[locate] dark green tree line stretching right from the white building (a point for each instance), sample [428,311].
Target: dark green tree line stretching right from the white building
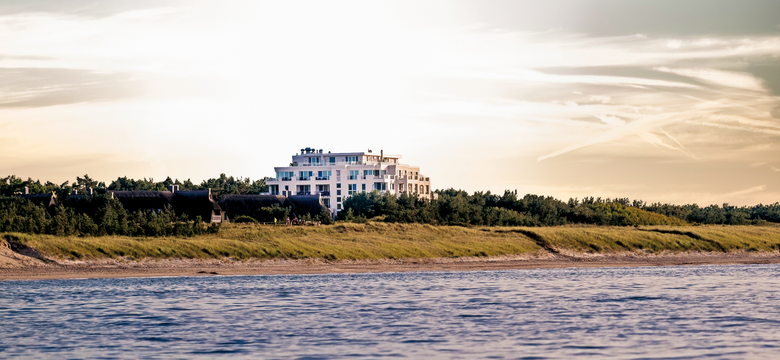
[457,207]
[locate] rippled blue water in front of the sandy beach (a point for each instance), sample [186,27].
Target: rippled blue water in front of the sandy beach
[659,312]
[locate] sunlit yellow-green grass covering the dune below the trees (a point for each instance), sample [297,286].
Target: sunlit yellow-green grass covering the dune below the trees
[375,240]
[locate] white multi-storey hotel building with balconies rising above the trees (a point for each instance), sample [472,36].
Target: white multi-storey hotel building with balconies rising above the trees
[336,176]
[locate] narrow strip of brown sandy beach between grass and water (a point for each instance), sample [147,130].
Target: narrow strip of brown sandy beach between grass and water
[535,260]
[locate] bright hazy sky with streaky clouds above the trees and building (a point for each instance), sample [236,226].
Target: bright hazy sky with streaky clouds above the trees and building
[665,101]
